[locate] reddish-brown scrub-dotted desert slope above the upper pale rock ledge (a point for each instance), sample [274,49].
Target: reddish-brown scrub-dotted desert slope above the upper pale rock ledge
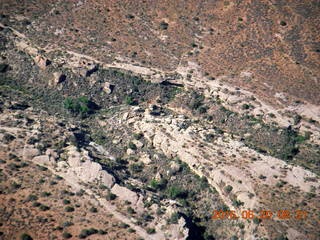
[268,47]
